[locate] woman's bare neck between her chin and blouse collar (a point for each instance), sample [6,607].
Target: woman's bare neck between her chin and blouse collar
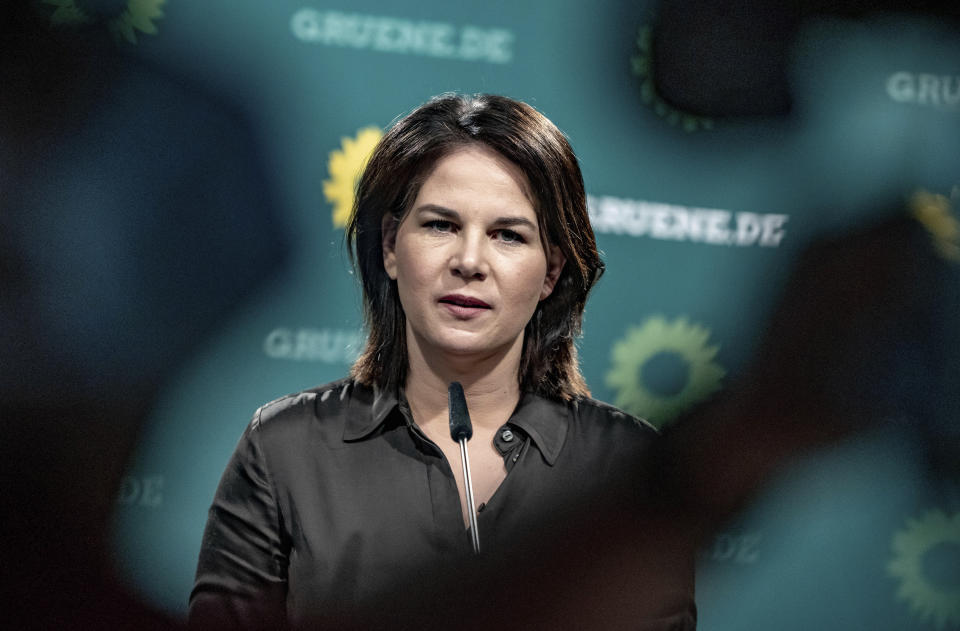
[490,383]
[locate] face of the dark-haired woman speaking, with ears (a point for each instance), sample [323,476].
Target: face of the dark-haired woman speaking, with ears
[468,259]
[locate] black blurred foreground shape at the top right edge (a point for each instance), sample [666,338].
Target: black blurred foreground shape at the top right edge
[730,57]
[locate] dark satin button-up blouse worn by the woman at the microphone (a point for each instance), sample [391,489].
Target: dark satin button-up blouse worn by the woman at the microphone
[334,497]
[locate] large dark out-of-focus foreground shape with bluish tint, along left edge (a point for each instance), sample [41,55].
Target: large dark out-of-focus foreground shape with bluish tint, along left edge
[135,216]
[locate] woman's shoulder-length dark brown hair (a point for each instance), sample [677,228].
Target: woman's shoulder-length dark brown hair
[401,162]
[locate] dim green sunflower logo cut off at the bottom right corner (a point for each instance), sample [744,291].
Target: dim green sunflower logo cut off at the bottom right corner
[926,555]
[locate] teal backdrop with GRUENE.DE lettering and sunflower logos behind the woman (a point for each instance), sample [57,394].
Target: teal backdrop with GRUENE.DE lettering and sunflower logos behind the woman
[699,221]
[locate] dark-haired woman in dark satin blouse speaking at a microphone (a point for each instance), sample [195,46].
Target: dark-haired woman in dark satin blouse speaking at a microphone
[474,247]
